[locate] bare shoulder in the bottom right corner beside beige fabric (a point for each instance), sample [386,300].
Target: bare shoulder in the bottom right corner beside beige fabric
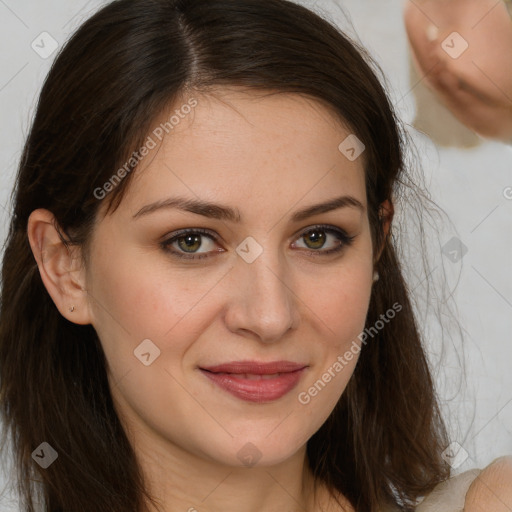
[491,491]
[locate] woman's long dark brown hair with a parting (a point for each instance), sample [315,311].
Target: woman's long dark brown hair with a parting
[121,69]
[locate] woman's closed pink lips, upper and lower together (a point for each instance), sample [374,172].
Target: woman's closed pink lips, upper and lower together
[231,377]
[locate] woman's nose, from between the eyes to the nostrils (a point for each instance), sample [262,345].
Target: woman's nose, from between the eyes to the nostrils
[263,301]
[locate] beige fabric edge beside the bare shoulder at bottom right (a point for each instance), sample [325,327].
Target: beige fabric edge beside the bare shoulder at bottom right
[449,496]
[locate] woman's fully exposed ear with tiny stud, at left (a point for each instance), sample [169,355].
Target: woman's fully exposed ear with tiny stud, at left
[59,266]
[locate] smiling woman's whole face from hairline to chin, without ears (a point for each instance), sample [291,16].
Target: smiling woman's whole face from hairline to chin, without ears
[256,285]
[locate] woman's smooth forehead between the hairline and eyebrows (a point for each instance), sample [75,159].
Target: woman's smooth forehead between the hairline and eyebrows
[234,143]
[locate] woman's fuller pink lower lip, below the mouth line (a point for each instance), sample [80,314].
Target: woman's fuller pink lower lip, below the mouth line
[252,390]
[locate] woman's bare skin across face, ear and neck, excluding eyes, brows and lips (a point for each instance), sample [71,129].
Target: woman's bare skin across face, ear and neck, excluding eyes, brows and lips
[267,156]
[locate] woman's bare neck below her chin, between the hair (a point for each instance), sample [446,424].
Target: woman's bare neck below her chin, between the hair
[186,482]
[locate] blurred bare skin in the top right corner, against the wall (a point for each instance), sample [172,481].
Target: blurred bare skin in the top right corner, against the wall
[476,85]
